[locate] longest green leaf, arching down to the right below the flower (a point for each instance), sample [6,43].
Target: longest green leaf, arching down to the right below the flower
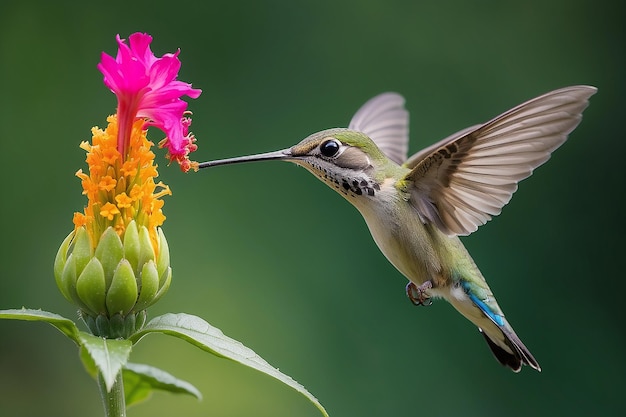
[211,339]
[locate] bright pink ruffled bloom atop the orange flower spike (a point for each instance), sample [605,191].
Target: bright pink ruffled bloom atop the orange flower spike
[146,87]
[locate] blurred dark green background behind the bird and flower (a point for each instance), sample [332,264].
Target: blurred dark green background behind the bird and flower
[275,259]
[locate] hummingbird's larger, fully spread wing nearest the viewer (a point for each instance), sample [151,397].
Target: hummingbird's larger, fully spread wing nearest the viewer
[464,180]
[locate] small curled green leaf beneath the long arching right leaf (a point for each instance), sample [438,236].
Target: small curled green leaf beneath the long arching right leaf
[141,380]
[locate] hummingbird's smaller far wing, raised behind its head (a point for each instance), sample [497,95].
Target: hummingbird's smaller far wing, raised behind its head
[385,120]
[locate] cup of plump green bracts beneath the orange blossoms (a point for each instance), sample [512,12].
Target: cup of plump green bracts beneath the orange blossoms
[114,283]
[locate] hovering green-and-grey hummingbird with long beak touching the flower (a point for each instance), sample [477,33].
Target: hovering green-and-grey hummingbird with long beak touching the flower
[416,208]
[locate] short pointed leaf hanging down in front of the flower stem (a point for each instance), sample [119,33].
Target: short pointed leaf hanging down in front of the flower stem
[109,355]
